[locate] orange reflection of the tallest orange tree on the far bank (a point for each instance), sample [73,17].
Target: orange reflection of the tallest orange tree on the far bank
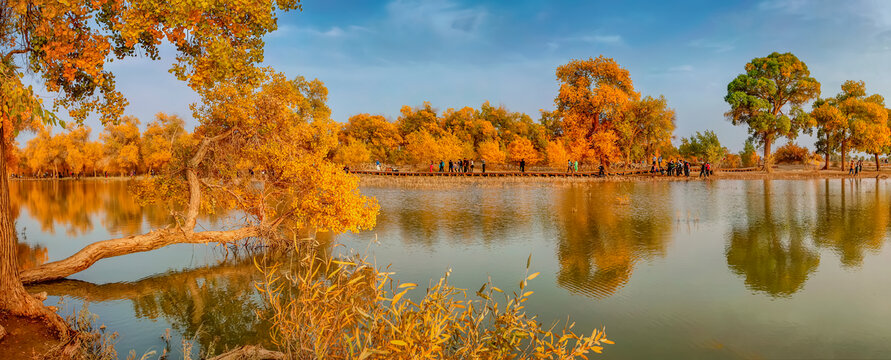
[602,236]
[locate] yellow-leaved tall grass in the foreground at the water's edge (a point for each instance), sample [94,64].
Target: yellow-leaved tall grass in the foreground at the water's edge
[344,308]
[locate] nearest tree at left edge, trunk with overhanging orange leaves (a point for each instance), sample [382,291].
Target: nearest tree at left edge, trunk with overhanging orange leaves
[66,45]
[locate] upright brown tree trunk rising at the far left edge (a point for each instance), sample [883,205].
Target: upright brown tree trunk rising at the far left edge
[14,299]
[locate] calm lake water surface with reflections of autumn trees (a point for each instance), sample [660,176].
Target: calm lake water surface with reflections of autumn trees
[722,269]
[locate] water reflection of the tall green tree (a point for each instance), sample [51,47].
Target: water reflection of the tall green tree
[769,248]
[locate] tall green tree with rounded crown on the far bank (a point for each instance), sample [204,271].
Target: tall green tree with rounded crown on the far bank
[768,99]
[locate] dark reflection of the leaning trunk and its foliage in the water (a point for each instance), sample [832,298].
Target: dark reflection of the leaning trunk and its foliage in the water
[216,306]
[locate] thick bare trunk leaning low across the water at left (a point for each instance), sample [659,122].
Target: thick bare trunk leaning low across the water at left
[92,253]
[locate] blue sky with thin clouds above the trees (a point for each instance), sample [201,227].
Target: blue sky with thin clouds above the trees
[375,56]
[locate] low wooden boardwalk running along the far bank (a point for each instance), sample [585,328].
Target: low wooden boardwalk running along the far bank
[528,173]
